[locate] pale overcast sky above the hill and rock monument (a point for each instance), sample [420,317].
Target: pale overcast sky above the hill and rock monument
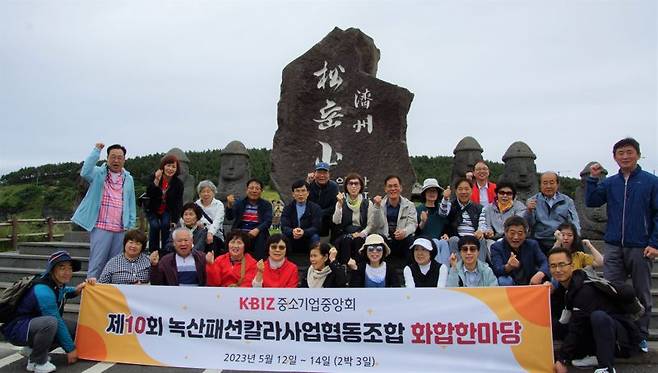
[567,77]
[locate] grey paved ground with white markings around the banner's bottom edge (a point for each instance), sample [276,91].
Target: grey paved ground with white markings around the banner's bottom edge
[11,361]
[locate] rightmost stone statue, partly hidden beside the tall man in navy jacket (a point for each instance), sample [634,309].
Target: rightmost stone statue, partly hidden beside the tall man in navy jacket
[593,220]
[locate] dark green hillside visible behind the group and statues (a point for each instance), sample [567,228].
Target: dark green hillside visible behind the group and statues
[52,189]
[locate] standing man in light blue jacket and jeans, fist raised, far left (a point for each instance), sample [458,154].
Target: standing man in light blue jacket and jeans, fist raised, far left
[108,209]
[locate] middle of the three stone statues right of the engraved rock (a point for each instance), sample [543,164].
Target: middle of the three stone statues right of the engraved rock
[521,170]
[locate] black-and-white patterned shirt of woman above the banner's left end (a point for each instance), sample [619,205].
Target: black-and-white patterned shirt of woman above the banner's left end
[121,270]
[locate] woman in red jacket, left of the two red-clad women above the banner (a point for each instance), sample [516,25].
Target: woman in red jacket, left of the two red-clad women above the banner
[233,269]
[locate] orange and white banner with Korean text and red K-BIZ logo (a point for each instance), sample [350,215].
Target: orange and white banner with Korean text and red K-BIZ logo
[319,330]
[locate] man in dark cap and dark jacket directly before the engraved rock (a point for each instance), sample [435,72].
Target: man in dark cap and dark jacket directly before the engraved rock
[323,192]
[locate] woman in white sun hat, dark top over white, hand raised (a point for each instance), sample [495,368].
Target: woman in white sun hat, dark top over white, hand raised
[373,271]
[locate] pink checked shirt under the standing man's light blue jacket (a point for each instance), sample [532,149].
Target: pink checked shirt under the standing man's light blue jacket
[110,214]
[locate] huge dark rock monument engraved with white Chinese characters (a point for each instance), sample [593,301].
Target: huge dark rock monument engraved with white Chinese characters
[333,109]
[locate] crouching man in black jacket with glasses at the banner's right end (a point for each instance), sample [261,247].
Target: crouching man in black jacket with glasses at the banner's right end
[597,322]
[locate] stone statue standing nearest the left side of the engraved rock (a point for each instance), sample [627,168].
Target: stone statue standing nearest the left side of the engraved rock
[234,171]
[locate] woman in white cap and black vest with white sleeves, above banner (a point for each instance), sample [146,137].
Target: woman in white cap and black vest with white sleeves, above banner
[423,271]
